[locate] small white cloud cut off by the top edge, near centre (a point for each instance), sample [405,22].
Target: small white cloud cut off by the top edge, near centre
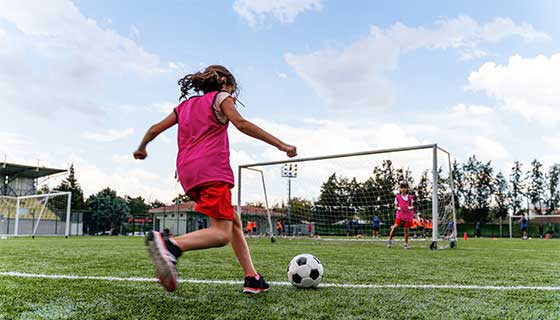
[255,11]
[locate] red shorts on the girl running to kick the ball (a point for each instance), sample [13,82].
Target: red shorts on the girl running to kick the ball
[213,199]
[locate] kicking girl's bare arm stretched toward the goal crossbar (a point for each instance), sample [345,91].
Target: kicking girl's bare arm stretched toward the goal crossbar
[250,129]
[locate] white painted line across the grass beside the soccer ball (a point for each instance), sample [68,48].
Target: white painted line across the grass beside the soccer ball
[284,283]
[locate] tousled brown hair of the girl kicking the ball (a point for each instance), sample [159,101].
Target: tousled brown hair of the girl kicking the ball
[213,78]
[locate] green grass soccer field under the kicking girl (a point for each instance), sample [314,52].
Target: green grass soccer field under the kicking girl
[480,262]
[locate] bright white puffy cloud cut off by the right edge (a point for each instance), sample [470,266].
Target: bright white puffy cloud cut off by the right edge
[527,86]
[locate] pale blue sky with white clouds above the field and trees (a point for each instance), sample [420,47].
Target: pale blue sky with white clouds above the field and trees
[81,81]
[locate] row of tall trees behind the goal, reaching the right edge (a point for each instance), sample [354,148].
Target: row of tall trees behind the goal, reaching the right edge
[480,192]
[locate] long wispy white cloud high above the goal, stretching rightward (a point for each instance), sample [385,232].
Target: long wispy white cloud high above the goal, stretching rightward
[363,68]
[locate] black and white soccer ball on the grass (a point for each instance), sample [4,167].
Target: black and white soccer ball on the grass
[305,271]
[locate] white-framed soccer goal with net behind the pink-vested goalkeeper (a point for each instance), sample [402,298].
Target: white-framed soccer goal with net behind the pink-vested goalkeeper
[349,196]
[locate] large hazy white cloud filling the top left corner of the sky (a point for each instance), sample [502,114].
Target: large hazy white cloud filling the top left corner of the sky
[63,54]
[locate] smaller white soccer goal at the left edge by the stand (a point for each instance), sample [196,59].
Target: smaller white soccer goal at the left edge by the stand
[34,215]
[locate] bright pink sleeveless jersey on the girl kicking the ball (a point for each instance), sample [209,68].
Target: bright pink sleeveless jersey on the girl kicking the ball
[203,144]
